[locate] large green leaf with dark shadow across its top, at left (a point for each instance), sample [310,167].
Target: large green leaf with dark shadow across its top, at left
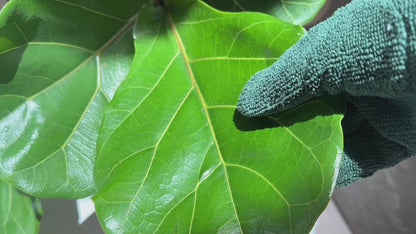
[60,63]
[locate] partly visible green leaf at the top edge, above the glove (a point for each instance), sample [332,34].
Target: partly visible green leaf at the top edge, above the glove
[298,12]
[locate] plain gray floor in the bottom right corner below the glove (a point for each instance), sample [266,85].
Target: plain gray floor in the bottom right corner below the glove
[383,203]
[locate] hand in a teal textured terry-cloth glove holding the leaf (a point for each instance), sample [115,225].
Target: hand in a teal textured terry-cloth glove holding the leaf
[368,50]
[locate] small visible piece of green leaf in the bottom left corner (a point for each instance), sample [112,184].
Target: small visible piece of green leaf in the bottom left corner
[17,212]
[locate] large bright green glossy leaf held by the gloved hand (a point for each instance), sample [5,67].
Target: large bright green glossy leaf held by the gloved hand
[173,154]
